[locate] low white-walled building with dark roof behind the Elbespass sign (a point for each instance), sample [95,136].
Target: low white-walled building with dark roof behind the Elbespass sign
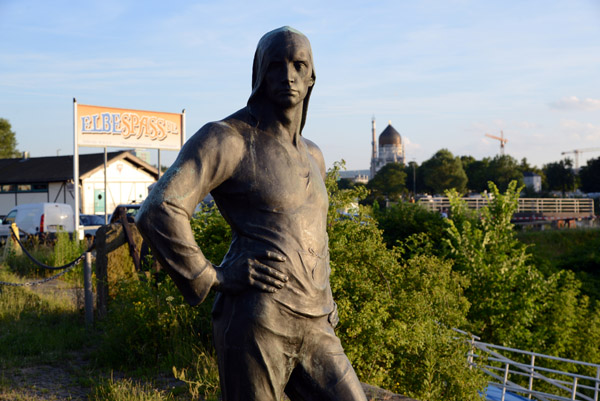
[50,179]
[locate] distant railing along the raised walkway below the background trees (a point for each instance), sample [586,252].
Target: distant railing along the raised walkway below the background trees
[526,205]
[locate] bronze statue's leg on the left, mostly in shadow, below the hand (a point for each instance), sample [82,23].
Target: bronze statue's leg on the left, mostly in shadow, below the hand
[255,350]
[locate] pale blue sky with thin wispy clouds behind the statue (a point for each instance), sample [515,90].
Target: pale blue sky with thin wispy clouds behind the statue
[444,72]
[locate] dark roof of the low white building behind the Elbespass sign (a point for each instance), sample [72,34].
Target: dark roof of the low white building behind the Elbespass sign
[60,168]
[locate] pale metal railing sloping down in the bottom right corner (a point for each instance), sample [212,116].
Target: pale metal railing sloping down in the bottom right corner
[539,381]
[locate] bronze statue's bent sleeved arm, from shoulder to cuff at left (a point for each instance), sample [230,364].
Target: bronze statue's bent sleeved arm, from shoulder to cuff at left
[206,160]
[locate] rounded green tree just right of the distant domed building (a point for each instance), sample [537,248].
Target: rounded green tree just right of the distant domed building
[444,171]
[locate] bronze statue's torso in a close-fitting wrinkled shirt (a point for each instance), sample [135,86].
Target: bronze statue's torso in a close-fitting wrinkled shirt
[276,200]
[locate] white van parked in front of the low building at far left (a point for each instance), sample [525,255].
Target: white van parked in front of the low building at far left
[38,218]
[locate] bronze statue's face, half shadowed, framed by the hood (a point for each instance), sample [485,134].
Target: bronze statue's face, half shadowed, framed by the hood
[289,74]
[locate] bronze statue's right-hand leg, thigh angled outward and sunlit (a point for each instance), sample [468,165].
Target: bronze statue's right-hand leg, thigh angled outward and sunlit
[324,372]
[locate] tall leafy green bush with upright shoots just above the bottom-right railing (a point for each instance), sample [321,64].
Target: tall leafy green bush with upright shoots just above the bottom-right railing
[512,303]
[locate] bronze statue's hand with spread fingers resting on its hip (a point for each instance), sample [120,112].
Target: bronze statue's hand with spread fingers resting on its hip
[257,272]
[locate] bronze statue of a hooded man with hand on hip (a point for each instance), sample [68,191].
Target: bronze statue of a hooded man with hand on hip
[274,314]
